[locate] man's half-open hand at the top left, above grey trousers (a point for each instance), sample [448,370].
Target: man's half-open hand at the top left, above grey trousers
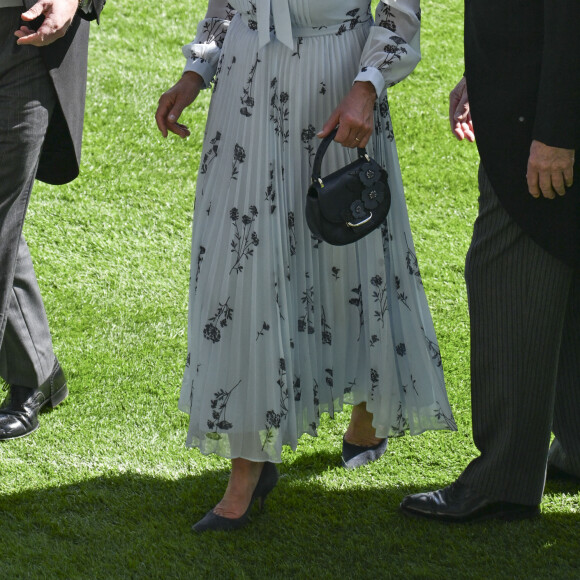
[58,15]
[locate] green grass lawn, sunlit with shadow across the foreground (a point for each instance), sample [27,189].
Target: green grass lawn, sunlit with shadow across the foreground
[106,488]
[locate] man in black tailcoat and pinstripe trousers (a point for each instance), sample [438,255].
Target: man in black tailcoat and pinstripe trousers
[523,267]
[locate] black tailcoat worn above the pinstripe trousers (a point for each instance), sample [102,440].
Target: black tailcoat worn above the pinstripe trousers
[522,65]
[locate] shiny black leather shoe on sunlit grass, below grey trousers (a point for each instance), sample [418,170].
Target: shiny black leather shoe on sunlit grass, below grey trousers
[19,413]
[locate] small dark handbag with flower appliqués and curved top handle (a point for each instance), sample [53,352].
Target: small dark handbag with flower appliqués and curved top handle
[349,203]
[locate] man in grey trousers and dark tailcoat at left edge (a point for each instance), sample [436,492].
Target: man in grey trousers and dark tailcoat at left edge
[43,65]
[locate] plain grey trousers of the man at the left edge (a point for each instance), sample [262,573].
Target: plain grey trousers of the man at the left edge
[27,99]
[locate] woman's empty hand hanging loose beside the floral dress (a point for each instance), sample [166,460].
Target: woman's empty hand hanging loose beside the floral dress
[173,101]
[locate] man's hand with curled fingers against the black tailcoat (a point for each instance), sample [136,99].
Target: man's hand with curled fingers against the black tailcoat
[550,170]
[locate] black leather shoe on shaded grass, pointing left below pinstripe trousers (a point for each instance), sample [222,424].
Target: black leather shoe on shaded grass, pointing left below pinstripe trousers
[459,503]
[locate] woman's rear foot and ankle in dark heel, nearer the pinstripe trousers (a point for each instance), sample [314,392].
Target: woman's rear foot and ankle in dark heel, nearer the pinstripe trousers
[360,444]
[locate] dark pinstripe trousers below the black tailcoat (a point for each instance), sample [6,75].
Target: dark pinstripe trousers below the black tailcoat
[524,309]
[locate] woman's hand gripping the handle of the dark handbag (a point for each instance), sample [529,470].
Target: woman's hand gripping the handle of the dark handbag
[354,116]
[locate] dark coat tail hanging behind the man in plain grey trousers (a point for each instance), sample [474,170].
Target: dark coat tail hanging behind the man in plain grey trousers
[66,60]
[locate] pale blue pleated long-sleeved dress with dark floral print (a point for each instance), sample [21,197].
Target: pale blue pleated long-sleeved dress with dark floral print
[282,326]
